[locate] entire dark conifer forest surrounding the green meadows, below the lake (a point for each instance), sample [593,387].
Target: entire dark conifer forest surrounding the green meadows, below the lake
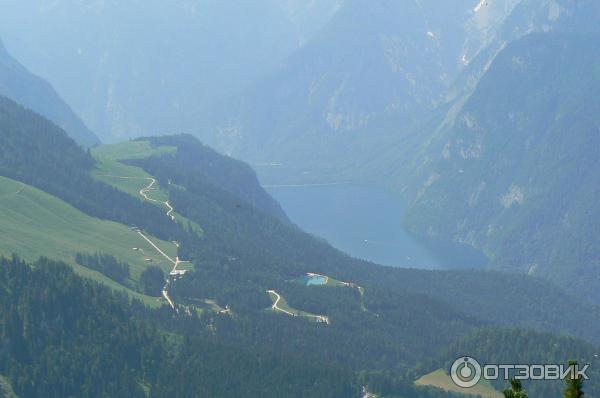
[383,339]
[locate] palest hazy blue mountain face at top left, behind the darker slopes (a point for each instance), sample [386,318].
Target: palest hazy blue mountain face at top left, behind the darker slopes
[131,68]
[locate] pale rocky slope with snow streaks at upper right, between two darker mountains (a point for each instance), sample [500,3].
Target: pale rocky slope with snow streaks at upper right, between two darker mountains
[486,29]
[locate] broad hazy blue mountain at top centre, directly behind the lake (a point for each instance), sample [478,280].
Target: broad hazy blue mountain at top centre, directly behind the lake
[372,71]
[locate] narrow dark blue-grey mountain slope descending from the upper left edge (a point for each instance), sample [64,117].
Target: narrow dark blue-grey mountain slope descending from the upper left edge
[17,83]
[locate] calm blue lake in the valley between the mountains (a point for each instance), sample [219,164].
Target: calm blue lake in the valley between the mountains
[366,222]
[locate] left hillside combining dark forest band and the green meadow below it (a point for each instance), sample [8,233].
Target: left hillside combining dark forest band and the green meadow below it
[76,215]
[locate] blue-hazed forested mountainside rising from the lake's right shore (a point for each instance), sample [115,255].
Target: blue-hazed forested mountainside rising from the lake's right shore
[516,173]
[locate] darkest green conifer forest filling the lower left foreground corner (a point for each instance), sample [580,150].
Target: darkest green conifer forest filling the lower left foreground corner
[69,337]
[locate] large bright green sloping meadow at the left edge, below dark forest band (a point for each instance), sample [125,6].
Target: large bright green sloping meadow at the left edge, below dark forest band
[36,224]
